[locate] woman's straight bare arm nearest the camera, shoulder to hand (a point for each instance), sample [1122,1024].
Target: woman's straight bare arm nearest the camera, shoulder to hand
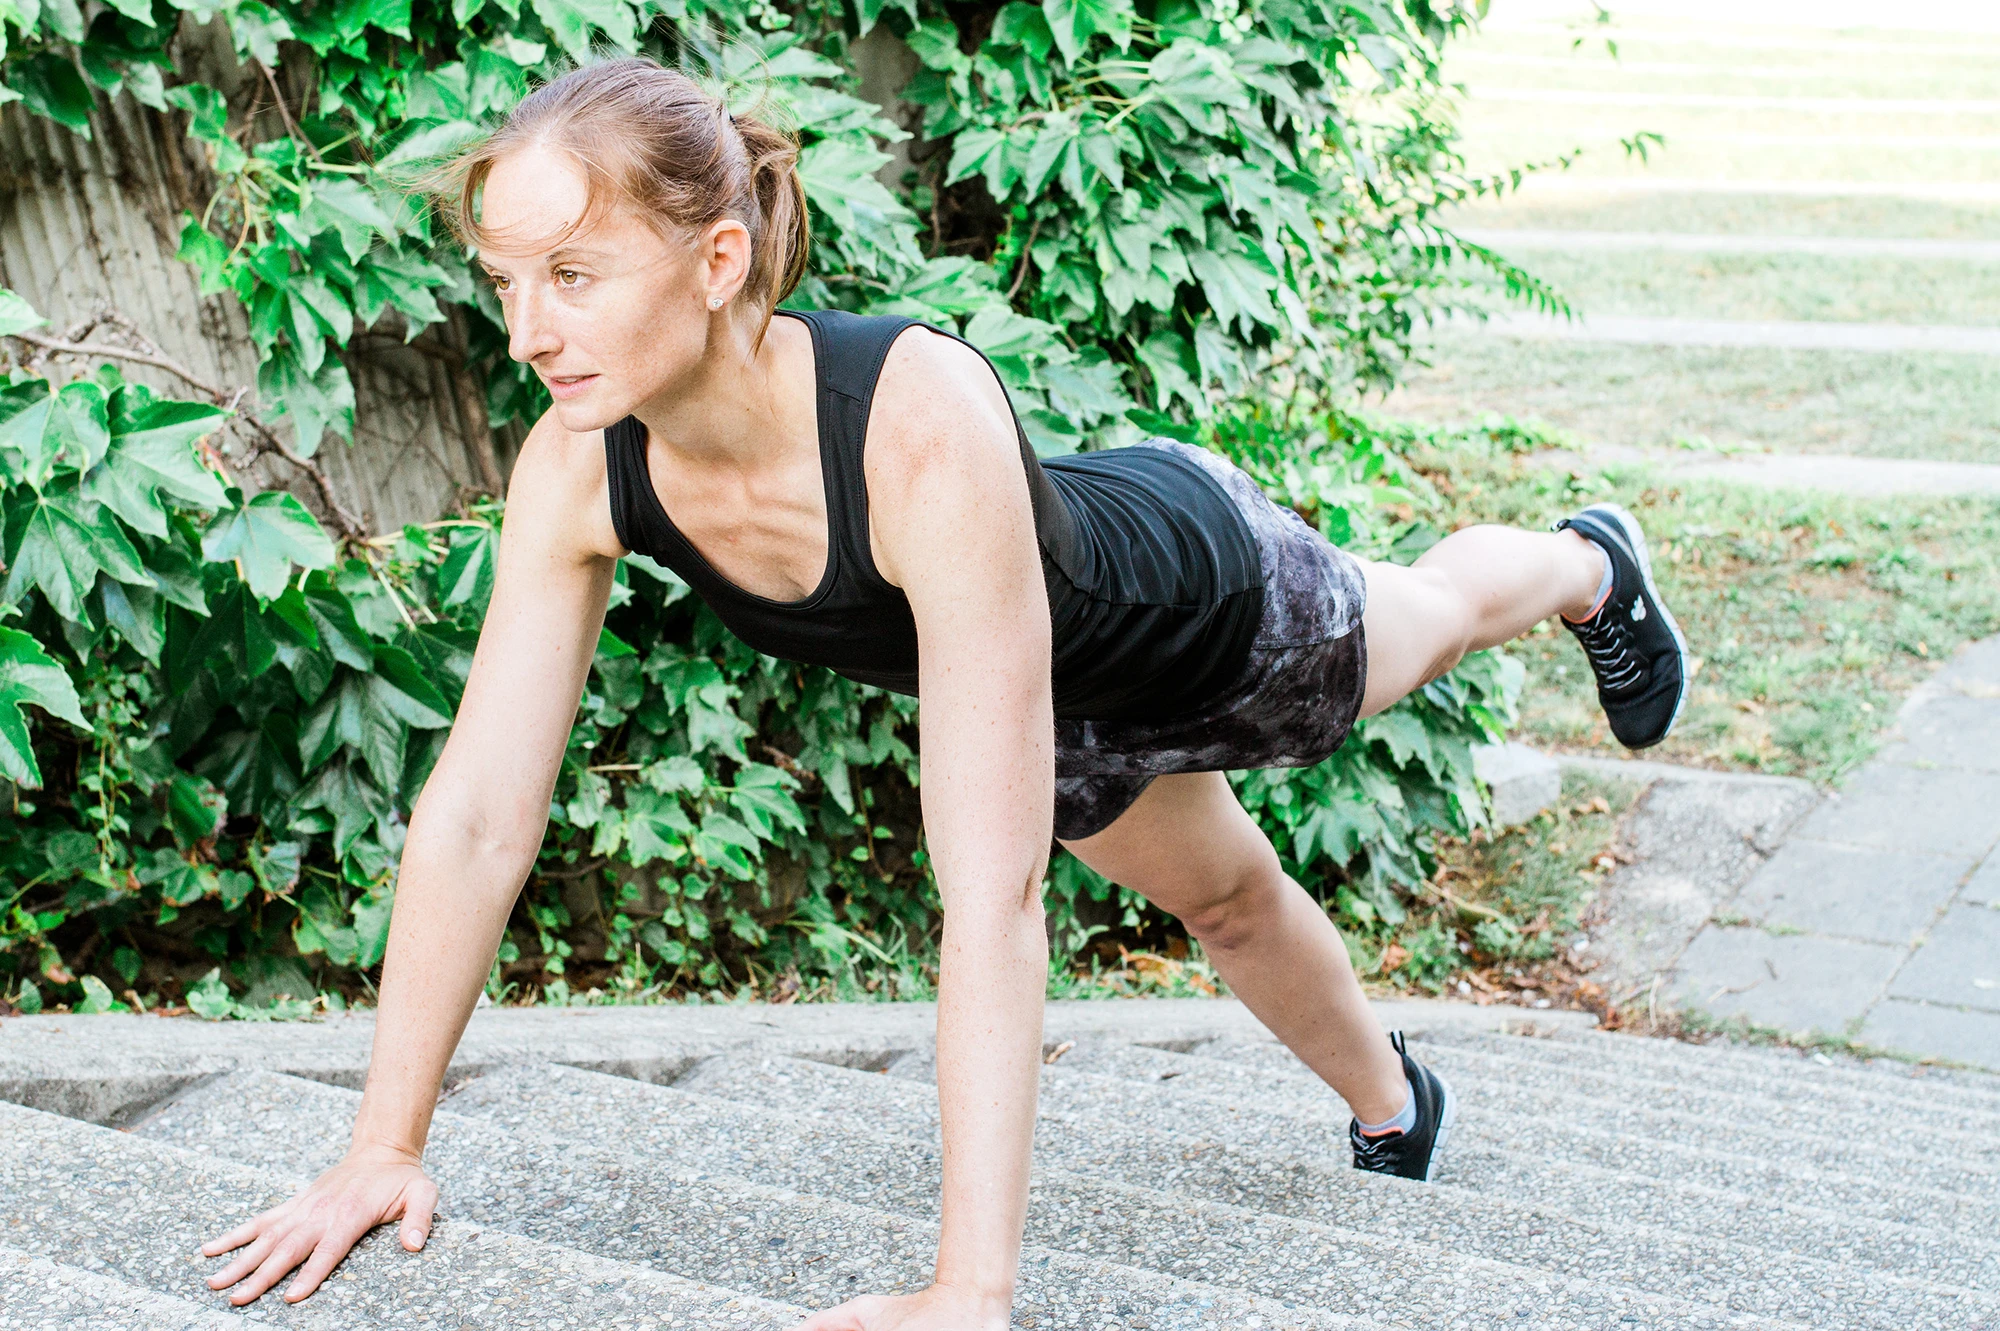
[955,529]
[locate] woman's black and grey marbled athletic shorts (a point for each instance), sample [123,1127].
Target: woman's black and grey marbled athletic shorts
[1291,704]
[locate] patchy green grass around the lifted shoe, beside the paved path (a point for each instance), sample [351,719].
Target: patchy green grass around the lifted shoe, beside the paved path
[1811,617]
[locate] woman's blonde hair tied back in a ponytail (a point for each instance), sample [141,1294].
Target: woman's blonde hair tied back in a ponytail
[657,139]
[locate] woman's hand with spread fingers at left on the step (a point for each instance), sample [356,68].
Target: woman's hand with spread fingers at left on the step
[323,1222]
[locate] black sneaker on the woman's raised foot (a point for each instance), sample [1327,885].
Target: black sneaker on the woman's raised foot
[1635,647]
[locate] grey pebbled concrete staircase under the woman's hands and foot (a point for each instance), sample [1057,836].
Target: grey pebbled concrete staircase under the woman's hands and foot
[1191,1176]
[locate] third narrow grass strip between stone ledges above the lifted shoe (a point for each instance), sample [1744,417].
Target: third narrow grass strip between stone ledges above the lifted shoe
[1735,215]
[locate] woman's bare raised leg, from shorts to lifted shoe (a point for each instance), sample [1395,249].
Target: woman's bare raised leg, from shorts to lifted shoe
[1477,589]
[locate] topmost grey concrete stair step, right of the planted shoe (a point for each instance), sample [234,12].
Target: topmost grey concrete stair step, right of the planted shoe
[1793,1076]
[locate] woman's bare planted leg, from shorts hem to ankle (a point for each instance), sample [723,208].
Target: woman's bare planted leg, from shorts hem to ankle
[1189,848]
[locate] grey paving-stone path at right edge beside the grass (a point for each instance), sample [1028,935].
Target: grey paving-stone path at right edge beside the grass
[1879,918]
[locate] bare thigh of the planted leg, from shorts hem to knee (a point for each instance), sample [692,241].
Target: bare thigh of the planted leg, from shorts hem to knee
[1185,846]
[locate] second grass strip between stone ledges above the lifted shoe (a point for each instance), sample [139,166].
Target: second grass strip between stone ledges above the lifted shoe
[1767,287]
